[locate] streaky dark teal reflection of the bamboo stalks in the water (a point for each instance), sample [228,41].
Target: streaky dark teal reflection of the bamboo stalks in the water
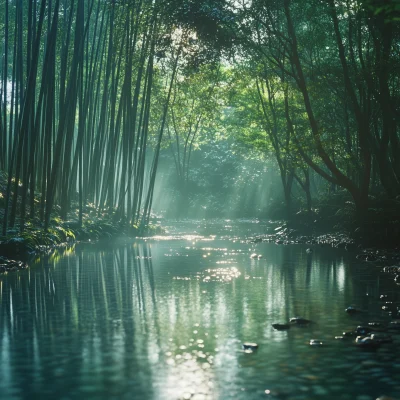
[85,314]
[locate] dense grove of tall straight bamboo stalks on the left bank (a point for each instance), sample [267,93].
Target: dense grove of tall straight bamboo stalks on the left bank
[77,84]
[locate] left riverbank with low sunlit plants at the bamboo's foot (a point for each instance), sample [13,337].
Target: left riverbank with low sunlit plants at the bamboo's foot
[18,246]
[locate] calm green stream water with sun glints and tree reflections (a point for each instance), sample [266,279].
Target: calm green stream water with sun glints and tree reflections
[164,318]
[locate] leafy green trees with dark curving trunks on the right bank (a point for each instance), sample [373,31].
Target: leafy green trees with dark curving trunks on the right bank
[324,80]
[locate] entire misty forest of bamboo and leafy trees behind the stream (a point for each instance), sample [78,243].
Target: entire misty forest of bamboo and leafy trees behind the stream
[218,106]
